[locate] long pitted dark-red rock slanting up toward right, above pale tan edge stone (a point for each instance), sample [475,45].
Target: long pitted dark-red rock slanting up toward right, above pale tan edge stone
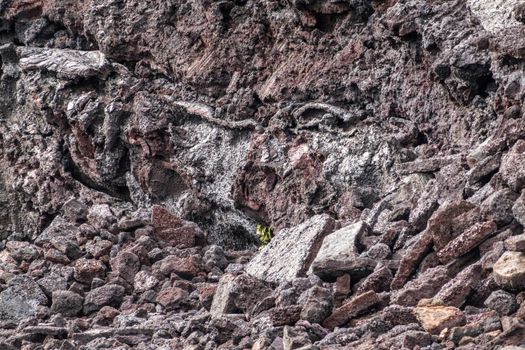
[467,241]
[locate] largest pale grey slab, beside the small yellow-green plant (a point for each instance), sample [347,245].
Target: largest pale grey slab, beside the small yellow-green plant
[291,252]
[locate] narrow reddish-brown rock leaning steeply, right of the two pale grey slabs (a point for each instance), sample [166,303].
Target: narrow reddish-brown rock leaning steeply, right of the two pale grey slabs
[412,258]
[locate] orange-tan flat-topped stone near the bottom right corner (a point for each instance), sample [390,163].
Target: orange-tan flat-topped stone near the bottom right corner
[434,319]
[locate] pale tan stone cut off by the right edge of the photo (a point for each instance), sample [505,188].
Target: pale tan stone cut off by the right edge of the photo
[509,271]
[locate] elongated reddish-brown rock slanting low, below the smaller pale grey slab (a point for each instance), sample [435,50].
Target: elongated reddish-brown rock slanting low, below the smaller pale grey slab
[351,309]
